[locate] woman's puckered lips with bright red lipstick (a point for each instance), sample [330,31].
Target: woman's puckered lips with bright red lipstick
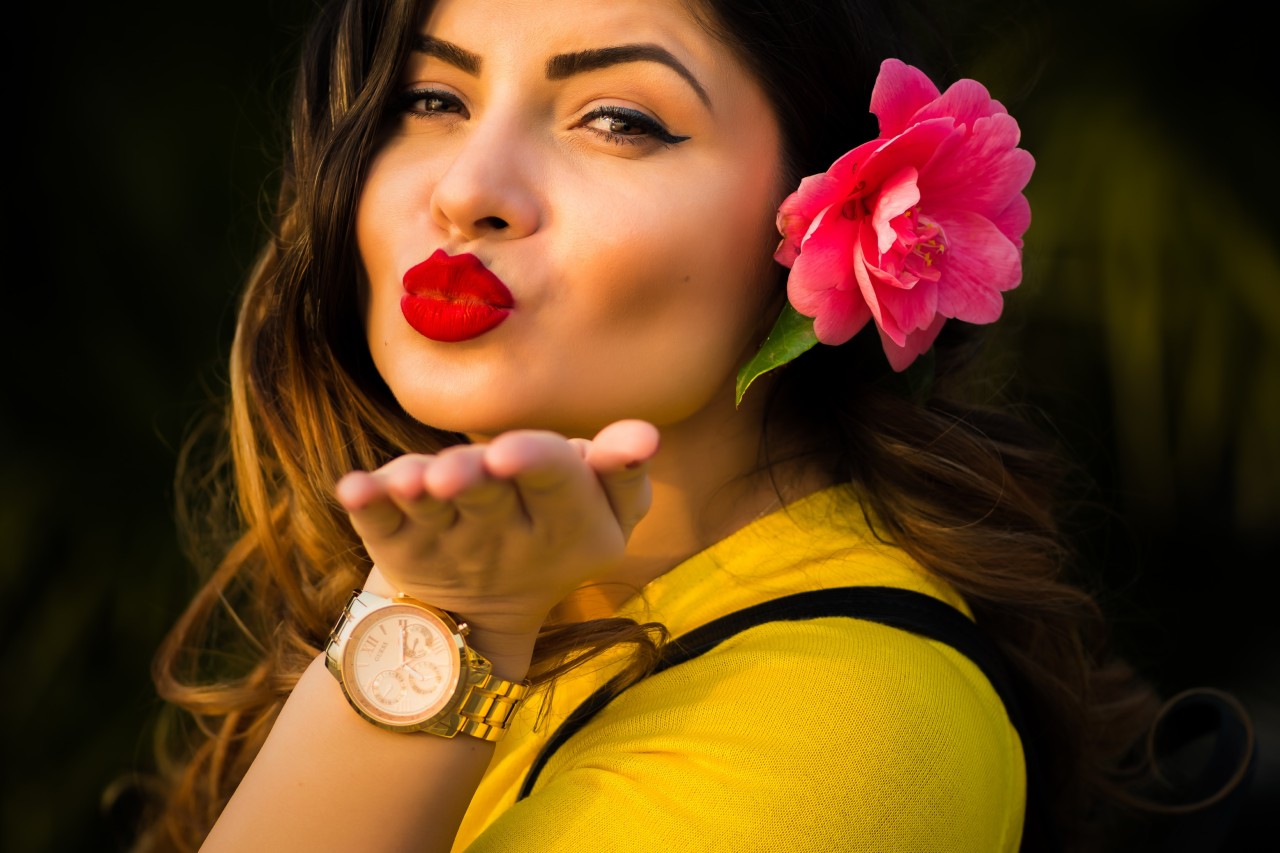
[454,298]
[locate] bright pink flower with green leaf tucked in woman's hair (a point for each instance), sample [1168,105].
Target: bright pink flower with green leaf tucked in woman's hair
[917,227]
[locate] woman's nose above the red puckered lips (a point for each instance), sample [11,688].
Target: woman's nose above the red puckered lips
[488,190]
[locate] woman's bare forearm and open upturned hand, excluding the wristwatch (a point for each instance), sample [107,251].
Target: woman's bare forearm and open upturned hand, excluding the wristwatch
[497,533]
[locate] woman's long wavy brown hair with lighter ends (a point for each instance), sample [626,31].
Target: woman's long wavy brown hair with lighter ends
[968,489]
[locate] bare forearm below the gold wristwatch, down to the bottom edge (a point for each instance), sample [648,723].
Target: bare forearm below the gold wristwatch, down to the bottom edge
[328,781]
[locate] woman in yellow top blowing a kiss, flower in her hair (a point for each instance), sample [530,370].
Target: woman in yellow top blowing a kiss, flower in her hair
[491,361]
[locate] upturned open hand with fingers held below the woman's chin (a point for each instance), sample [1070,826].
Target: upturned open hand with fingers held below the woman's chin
[501,532]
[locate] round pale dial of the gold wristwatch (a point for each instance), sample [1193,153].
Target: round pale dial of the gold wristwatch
[401,665]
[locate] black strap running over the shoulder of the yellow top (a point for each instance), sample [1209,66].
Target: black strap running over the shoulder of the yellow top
[890,606]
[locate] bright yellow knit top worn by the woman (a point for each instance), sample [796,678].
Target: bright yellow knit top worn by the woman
[828,735]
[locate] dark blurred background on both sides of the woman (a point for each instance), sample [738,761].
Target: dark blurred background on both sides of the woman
[141,156]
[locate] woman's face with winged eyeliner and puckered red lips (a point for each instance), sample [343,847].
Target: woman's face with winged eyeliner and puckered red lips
[618,170]
